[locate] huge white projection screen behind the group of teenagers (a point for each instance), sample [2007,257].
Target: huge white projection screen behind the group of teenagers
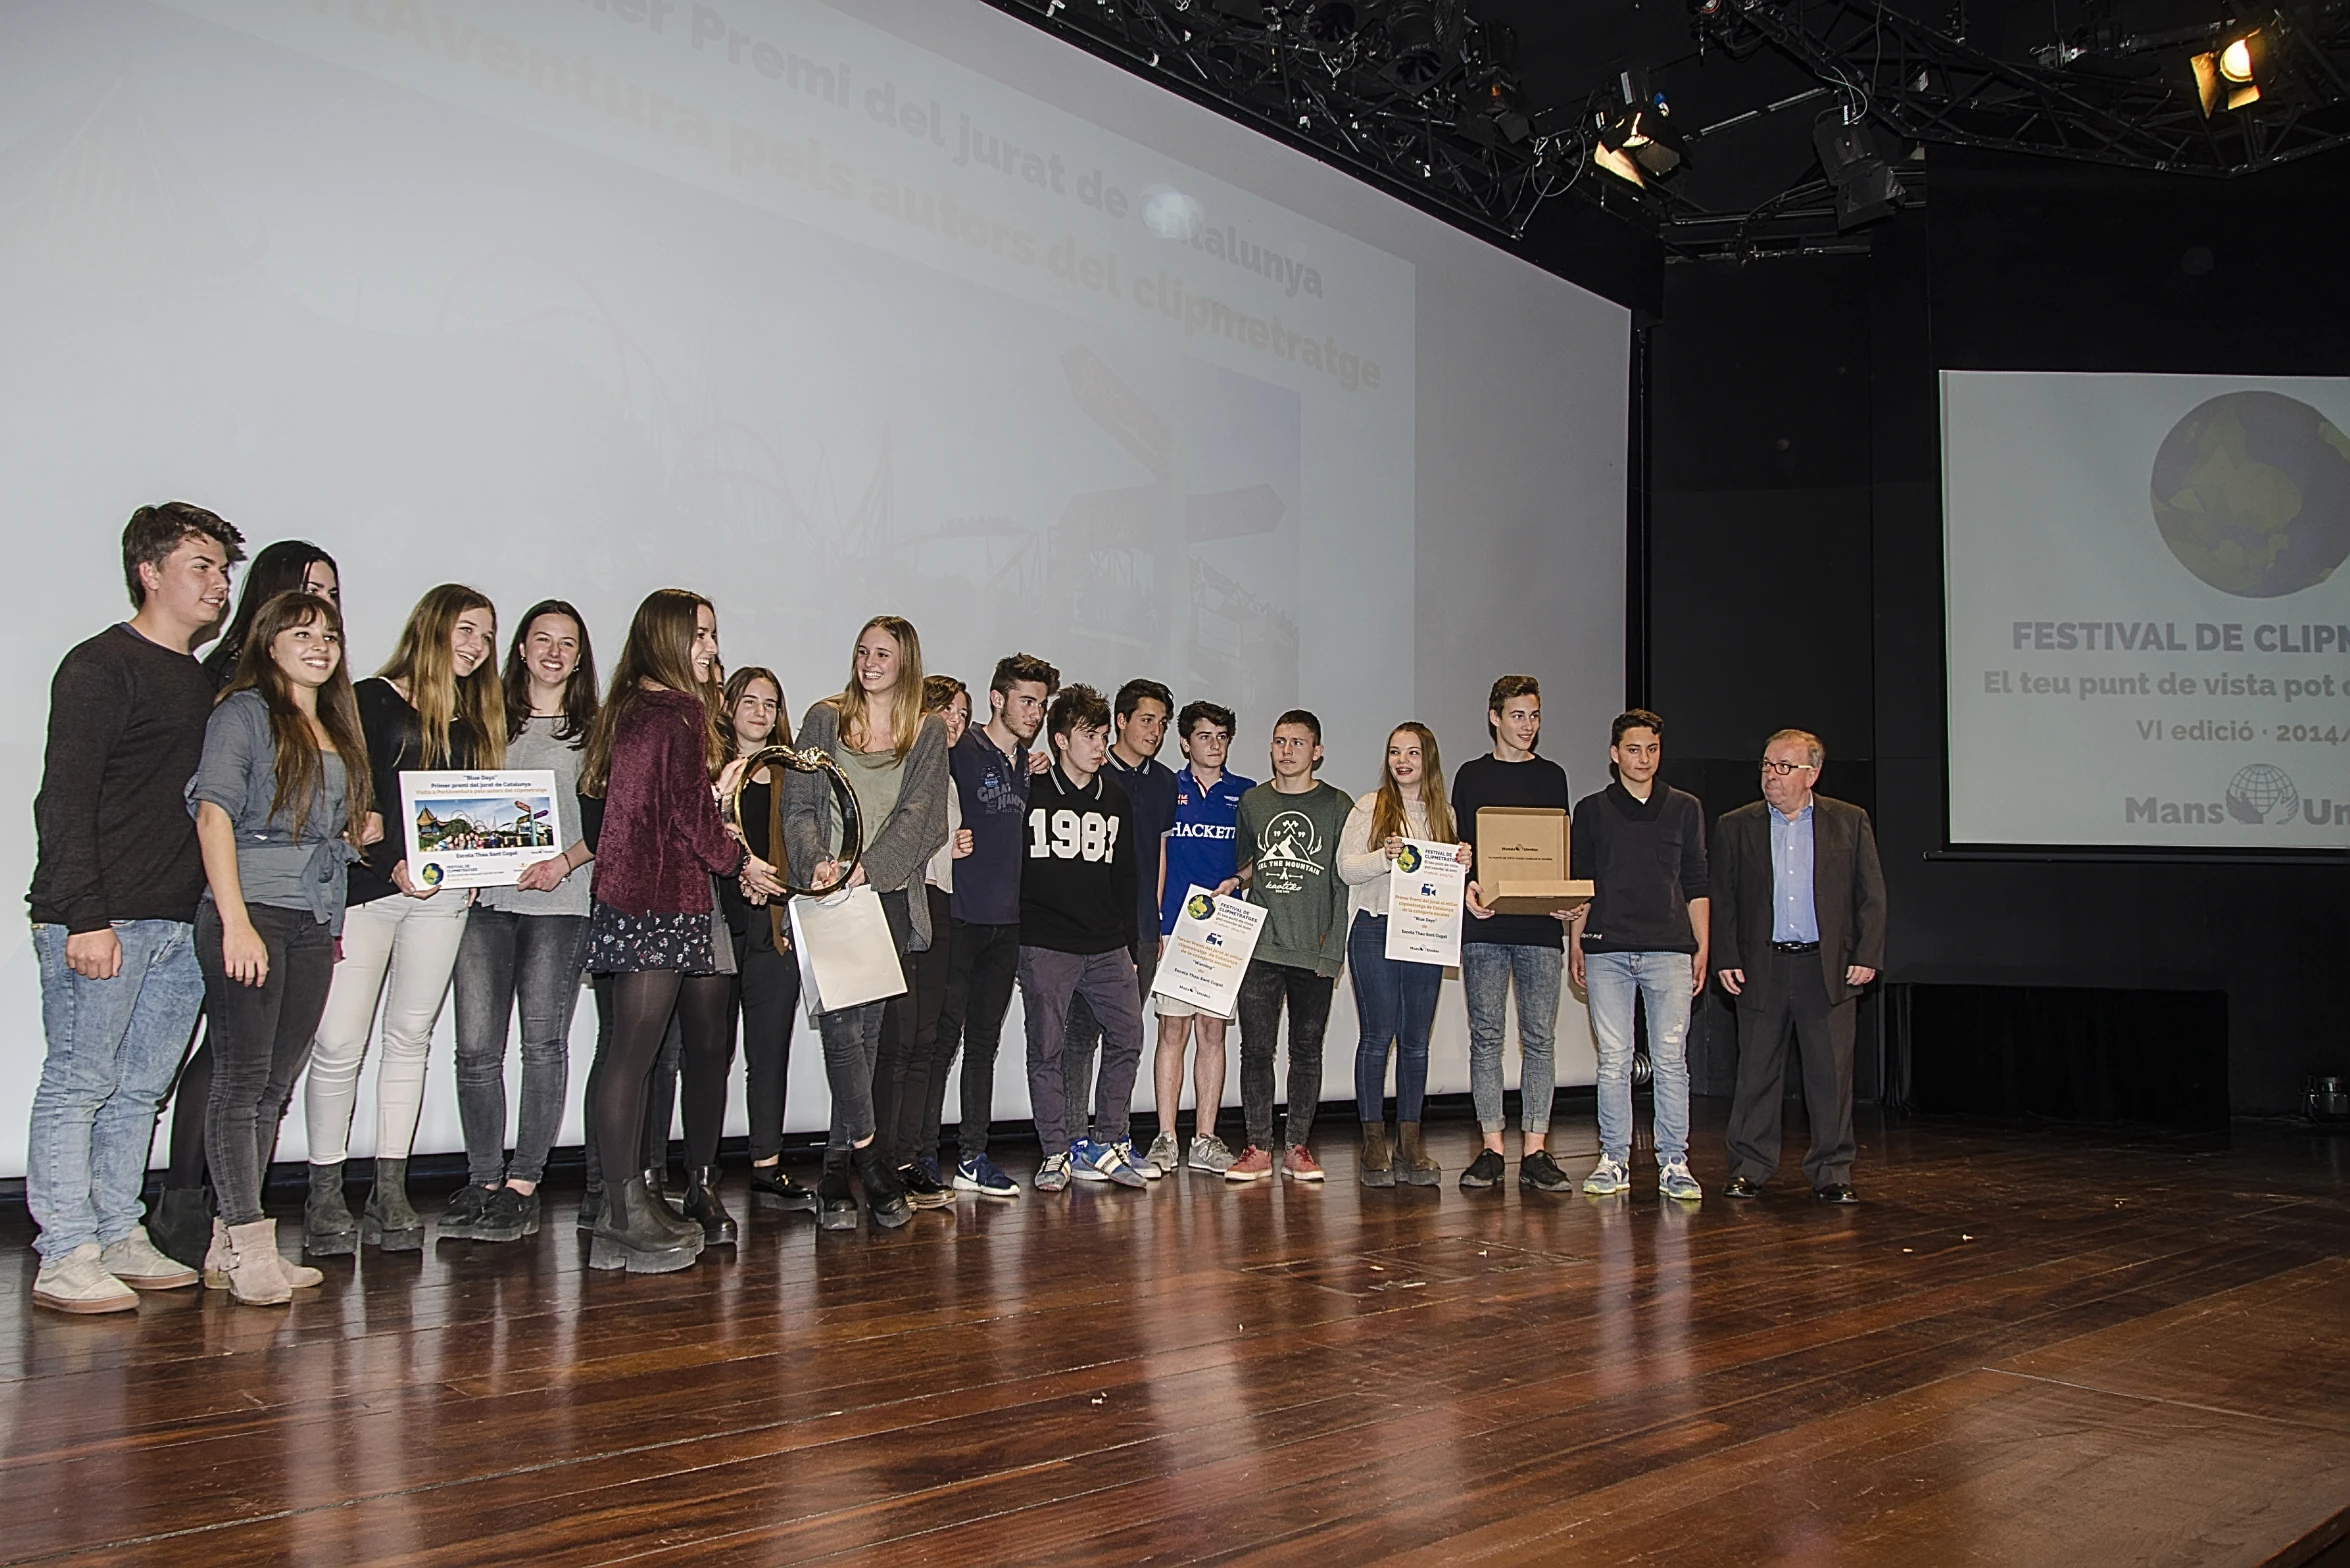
[819,309]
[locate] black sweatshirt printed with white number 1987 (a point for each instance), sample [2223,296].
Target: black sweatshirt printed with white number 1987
[1077,883]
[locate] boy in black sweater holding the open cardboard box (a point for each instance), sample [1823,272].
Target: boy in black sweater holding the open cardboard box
[1503,951]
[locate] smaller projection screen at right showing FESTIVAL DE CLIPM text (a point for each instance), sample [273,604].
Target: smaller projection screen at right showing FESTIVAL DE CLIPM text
[2149,643]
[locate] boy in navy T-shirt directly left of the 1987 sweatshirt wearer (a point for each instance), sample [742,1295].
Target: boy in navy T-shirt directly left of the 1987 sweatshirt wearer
[991,770]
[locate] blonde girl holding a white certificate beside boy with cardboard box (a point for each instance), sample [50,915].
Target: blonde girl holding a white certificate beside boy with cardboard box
[1395,998]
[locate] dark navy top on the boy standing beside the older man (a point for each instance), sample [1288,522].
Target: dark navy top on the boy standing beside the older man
[1649,862]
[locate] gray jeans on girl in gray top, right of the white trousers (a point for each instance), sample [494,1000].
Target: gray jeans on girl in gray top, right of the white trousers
[506,960]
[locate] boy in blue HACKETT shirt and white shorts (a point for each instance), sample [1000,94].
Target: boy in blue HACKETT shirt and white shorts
[1200,847]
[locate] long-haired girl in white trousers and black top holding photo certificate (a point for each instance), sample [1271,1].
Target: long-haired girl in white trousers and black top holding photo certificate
[438,704]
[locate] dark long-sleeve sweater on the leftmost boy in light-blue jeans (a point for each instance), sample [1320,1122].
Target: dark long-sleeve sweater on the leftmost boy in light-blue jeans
[126,737]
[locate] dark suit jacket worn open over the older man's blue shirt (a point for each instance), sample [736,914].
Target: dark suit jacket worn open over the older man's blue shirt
[1848,894]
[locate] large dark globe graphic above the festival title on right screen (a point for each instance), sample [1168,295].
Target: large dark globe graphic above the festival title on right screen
[2252,495]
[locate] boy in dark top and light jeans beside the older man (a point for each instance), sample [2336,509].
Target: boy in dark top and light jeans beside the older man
[1644,934]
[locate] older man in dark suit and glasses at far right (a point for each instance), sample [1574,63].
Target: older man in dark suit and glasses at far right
[1799,930]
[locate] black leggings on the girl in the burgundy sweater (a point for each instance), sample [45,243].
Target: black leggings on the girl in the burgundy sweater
[640,1017]
